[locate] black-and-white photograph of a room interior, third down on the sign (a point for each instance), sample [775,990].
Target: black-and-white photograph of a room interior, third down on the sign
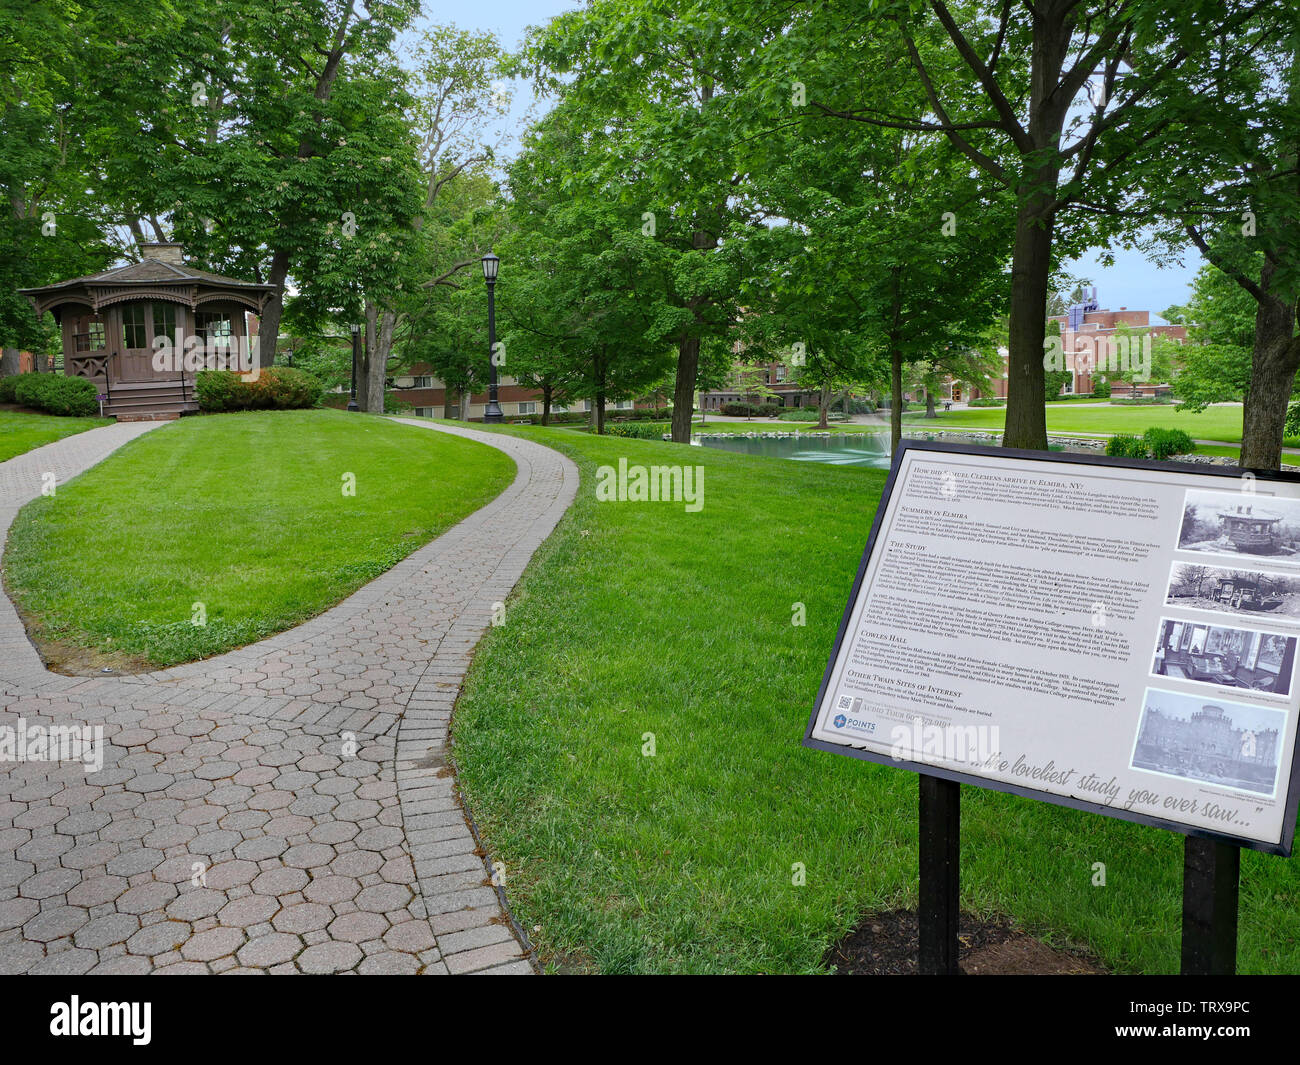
[1225,656]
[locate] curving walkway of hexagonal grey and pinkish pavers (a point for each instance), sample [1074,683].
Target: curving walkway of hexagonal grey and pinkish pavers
[283,808]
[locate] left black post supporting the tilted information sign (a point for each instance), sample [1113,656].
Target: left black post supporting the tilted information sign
[941,874]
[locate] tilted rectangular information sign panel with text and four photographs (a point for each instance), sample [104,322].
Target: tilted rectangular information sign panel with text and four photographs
[1103,634]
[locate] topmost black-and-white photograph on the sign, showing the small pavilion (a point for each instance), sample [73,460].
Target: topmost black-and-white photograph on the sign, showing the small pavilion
[1253,525]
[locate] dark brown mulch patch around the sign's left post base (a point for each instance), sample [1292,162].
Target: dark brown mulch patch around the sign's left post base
[885,945]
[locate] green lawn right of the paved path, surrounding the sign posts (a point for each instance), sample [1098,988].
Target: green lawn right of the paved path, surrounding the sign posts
[639,620]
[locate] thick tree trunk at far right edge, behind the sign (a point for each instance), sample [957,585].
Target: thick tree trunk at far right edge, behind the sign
[1273,373]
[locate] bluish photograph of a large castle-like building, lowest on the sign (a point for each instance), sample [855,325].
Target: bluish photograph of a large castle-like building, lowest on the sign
[1215,742]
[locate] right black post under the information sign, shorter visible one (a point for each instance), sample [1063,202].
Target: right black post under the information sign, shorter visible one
[1211,880]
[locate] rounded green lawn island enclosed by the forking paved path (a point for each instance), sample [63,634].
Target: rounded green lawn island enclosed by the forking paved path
[242,513]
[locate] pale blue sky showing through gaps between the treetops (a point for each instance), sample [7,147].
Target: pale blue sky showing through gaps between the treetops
[1133,282]
